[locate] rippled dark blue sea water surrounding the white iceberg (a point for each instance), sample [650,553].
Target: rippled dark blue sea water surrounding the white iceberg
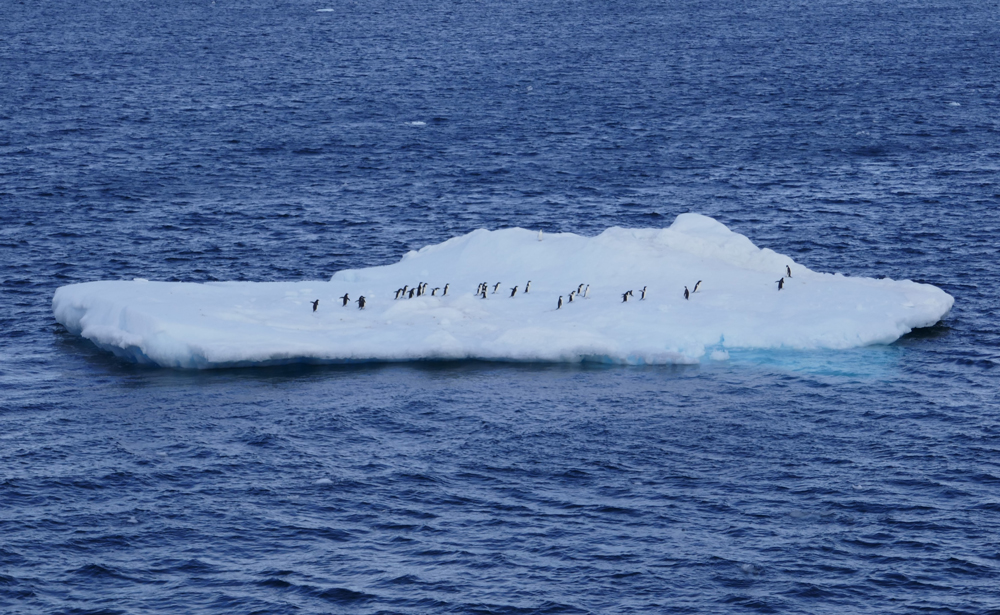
[271,140]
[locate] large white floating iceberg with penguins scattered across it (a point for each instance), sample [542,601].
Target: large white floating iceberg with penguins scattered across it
[737,306]
